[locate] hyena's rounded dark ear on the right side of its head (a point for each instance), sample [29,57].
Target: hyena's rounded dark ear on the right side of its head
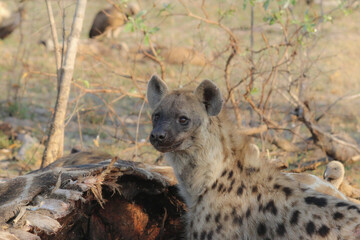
[209,94]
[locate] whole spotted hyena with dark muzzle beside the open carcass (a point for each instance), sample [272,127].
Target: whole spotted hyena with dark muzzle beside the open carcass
[230,194]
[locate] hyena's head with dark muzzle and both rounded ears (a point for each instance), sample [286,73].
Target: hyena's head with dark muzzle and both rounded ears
[178,115]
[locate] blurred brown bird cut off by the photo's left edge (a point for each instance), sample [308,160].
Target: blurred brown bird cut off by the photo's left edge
[9,23]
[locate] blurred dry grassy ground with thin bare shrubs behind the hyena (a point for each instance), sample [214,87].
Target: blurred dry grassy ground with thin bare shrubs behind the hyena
[268,73]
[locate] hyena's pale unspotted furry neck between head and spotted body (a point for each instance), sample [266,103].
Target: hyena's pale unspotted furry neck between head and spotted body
[201,164]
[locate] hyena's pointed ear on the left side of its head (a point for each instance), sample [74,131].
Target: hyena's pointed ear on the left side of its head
[157,89]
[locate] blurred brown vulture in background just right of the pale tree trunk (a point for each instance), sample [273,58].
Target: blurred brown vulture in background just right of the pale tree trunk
[108,21]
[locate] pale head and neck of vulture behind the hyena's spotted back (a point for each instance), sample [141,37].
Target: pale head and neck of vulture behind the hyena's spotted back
[334,174]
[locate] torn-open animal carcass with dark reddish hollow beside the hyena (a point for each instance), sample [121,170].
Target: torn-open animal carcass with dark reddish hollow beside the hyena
[107,200]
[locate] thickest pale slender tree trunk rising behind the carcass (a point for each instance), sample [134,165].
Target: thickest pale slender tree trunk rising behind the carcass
[54,144]
